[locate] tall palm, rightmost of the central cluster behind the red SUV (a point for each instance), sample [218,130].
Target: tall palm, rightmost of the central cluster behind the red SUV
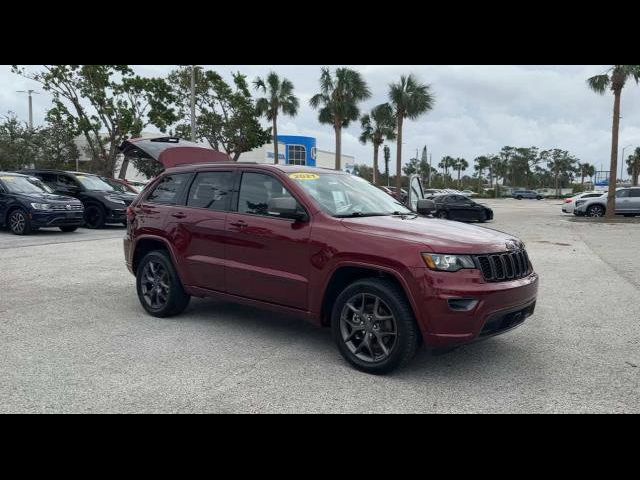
[409,99]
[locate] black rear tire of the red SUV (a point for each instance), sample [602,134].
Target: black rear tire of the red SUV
[174,300]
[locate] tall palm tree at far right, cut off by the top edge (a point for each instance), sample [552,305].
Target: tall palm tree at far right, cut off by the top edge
[614,79]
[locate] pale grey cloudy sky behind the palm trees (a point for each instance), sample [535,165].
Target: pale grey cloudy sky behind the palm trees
[478,109]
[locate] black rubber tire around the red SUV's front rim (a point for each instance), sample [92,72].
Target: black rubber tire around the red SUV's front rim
[407,336]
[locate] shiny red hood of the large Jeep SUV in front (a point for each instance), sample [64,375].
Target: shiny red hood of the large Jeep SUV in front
[439,236]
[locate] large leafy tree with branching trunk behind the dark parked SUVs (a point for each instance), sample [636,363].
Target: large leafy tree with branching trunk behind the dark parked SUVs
[106,104]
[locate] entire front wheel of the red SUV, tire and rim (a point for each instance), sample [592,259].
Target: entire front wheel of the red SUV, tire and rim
[374,327]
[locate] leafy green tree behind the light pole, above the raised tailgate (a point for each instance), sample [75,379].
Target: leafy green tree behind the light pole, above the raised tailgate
[227,117]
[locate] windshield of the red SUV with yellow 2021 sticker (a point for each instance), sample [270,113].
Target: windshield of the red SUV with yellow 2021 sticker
[348,195]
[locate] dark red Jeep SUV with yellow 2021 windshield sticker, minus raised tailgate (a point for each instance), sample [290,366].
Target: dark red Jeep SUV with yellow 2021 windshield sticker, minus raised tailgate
[330,247]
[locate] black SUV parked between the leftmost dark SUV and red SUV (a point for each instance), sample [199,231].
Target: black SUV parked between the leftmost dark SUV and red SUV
[102,203]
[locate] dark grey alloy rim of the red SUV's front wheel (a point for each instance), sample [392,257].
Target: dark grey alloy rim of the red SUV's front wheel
[368,327]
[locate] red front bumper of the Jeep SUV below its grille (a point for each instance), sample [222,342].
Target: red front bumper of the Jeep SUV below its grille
[499,306]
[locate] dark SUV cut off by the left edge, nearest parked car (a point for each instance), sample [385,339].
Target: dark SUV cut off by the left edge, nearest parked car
[26,204]
